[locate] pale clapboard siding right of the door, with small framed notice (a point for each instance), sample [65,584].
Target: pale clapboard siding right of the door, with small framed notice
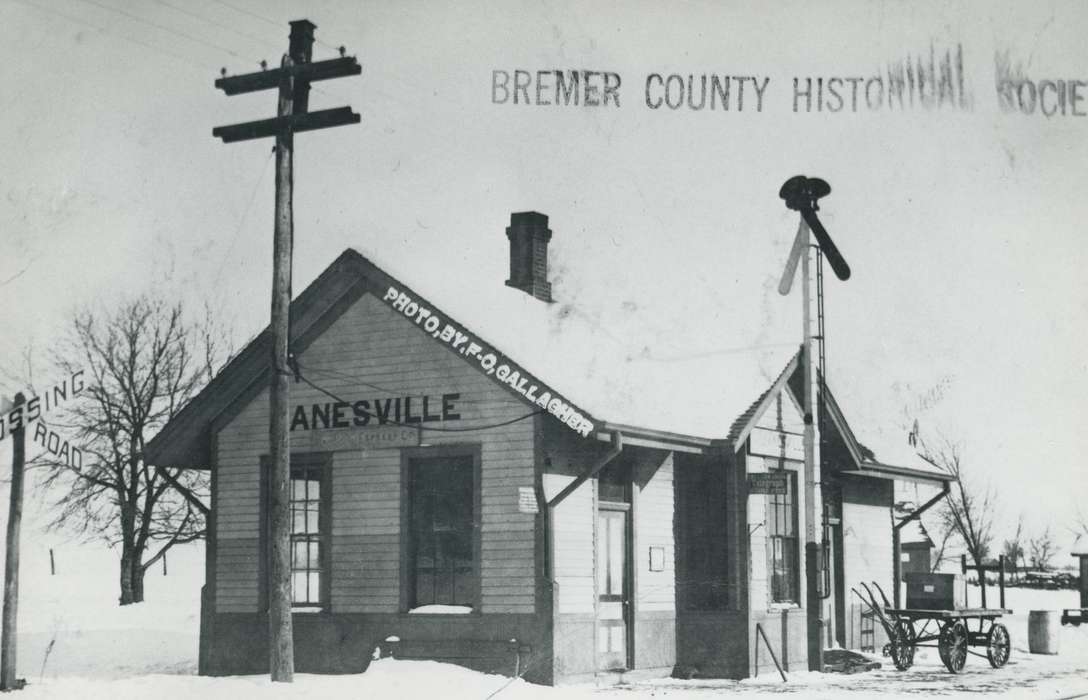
[654,529]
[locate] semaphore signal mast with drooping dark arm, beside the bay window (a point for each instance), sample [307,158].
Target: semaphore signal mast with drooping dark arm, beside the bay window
[802,195]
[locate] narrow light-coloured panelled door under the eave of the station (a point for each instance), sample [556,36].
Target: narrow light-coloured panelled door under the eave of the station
[613,590]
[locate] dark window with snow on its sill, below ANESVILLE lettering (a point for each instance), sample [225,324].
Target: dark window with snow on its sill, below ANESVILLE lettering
[442,559]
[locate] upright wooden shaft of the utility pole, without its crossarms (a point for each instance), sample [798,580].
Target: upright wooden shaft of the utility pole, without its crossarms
[281,643]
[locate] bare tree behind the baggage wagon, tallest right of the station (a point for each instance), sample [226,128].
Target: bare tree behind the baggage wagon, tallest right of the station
[969,509]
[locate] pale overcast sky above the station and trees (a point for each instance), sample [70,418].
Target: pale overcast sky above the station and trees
[961,215]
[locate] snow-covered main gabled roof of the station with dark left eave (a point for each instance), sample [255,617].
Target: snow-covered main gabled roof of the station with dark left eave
[695,400]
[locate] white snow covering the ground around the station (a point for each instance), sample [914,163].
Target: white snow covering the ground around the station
[76,642]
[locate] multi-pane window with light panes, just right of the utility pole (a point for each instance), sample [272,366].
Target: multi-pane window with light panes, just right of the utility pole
[310,527]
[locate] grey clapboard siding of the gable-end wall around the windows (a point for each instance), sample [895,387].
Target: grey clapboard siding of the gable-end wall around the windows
[370,345]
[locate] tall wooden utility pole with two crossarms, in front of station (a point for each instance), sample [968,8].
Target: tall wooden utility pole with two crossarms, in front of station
[293,80]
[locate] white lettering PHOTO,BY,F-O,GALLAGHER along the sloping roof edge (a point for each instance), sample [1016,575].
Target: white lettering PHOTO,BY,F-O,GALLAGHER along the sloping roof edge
[491,362]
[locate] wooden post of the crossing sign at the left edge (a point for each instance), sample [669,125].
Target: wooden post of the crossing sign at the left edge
[8,681]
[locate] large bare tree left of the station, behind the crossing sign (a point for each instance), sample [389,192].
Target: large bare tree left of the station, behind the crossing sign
[141,363]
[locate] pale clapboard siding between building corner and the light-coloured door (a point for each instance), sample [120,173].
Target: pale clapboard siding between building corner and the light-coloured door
[573,535]
